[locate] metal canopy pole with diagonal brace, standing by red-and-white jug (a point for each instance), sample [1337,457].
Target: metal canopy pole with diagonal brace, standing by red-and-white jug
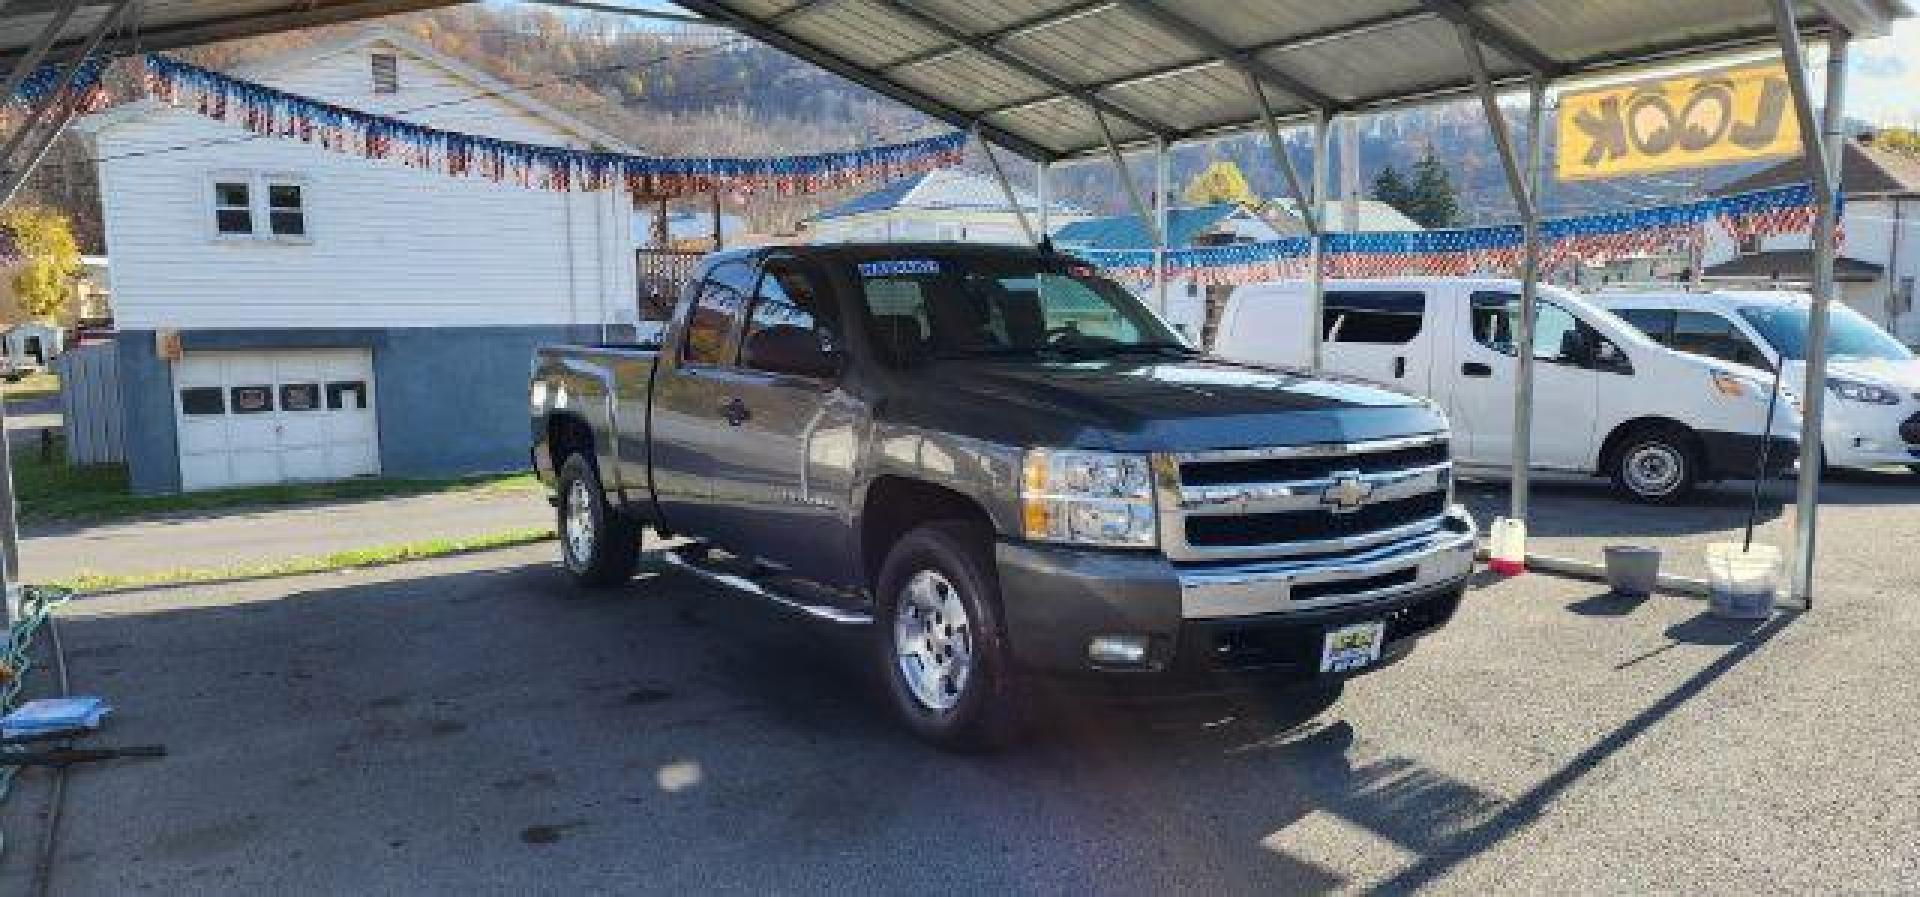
[1522,183]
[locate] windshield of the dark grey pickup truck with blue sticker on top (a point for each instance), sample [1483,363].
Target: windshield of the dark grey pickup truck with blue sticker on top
[1007,308]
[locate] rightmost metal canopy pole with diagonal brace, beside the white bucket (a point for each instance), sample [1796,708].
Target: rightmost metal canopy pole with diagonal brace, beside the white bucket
[1823,145]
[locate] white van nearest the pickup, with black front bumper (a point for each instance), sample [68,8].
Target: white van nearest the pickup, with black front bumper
[1608,400]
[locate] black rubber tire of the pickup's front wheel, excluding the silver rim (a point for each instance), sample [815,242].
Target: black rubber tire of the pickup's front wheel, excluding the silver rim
[988,710]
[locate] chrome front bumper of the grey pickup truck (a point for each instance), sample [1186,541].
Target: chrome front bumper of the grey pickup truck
[1404,566]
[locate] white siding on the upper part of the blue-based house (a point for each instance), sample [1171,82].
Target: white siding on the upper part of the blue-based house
[391,247]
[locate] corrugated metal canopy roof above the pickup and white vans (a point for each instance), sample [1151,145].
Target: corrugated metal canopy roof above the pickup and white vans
[1034,74]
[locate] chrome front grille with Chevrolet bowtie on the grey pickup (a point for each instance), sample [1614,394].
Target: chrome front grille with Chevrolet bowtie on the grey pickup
[1301,500]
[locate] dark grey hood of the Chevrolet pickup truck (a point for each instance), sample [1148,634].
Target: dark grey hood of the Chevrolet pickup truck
[1153,404]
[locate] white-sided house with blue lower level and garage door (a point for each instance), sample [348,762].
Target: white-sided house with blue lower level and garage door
[287,312]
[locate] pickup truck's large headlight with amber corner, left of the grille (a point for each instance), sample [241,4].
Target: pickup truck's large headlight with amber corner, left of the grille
[1090,498]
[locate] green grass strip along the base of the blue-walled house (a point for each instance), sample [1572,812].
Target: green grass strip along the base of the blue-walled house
[57,493]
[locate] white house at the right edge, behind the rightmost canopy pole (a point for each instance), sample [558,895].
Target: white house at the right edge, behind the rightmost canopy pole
[1881,251]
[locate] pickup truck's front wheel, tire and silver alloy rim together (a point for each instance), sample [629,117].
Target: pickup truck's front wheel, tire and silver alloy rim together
[942,644]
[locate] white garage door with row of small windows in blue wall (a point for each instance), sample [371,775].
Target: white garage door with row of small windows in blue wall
[252,418]
